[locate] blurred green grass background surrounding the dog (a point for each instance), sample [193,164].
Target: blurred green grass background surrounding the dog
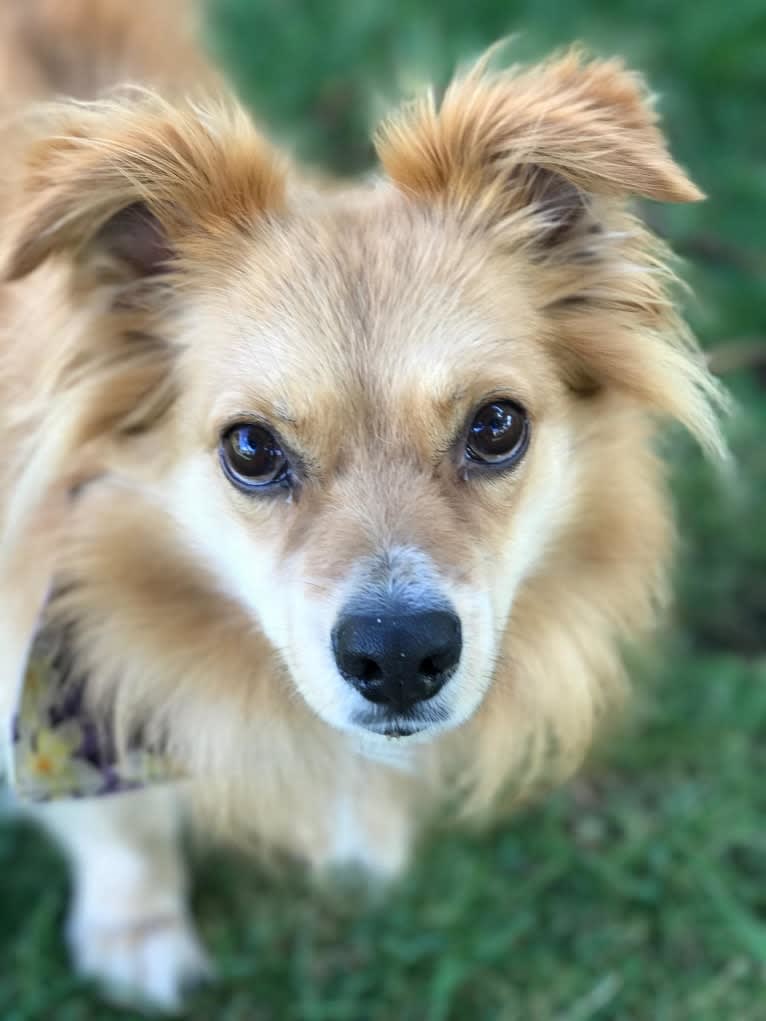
[640,892]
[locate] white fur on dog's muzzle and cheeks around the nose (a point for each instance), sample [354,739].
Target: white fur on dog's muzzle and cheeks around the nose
[299,620]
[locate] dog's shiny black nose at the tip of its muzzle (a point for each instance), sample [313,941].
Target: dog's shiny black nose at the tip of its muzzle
[398,660]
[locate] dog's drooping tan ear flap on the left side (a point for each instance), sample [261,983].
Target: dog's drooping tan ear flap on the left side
[128,184]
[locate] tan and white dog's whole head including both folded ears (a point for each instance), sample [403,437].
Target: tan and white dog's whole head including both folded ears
[407,426]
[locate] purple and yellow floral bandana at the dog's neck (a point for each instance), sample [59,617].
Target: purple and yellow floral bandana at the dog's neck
[58,751]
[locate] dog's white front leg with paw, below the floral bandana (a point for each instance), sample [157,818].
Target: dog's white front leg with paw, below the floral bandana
[129,927]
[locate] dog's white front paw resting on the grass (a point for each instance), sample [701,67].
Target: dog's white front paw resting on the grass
[152,962]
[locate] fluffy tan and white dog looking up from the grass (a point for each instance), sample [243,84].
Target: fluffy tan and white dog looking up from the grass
[347,497]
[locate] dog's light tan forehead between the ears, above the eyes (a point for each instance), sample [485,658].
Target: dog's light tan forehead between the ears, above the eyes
[362,299]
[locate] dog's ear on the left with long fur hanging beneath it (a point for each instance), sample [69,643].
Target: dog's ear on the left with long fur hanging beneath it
[123,195]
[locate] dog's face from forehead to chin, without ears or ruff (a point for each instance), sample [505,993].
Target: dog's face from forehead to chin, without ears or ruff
[373,451]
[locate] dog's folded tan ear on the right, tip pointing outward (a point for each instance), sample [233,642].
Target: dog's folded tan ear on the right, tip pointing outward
[550,135]
